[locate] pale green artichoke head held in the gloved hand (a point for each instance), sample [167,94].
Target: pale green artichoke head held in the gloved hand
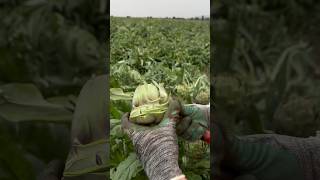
[149,103]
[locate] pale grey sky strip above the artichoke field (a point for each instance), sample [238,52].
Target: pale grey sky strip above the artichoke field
[160,8]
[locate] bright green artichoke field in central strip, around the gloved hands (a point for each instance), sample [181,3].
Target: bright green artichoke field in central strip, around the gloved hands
[168,51]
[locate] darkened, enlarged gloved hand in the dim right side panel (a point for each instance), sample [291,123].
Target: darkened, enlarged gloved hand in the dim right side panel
[239,158]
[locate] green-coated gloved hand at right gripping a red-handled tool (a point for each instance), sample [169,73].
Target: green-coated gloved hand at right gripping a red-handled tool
[195,122]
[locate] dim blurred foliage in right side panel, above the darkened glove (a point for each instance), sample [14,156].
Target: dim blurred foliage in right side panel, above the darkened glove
[266,66]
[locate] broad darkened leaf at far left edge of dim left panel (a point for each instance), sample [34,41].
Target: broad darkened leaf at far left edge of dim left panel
[24,102]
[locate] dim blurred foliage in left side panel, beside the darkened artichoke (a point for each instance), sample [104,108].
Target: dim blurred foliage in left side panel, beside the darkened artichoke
[48,50]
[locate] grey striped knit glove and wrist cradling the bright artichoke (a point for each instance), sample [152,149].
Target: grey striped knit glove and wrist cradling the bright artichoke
[157,146]
